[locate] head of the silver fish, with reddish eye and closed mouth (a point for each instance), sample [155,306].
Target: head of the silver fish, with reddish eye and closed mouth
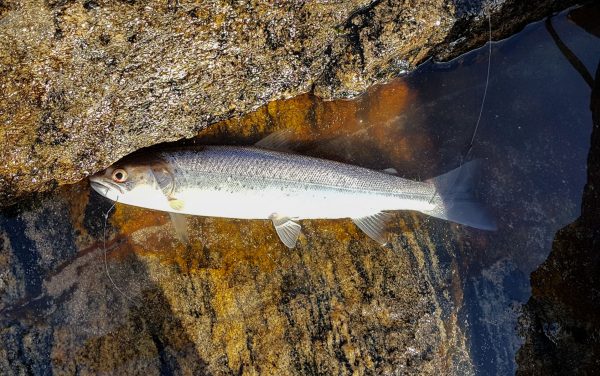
[135,181]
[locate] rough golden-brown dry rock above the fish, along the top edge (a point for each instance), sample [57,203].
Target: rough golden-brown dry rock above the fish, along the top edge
[83,83]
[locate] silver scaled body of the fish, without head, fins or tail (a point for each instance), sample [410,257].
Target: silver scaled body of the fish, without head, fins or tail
[252,183]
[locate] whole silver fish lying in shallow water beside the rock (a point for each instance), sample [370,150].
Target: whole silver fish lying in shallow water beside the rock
[255,182]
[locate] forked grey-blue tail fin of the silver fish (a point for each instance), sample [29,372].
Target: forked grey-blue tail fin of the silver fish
[454,198]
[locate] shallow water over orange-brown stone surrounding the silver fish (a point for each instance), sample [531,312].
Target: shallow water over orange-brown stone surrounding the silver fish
[442,297]
